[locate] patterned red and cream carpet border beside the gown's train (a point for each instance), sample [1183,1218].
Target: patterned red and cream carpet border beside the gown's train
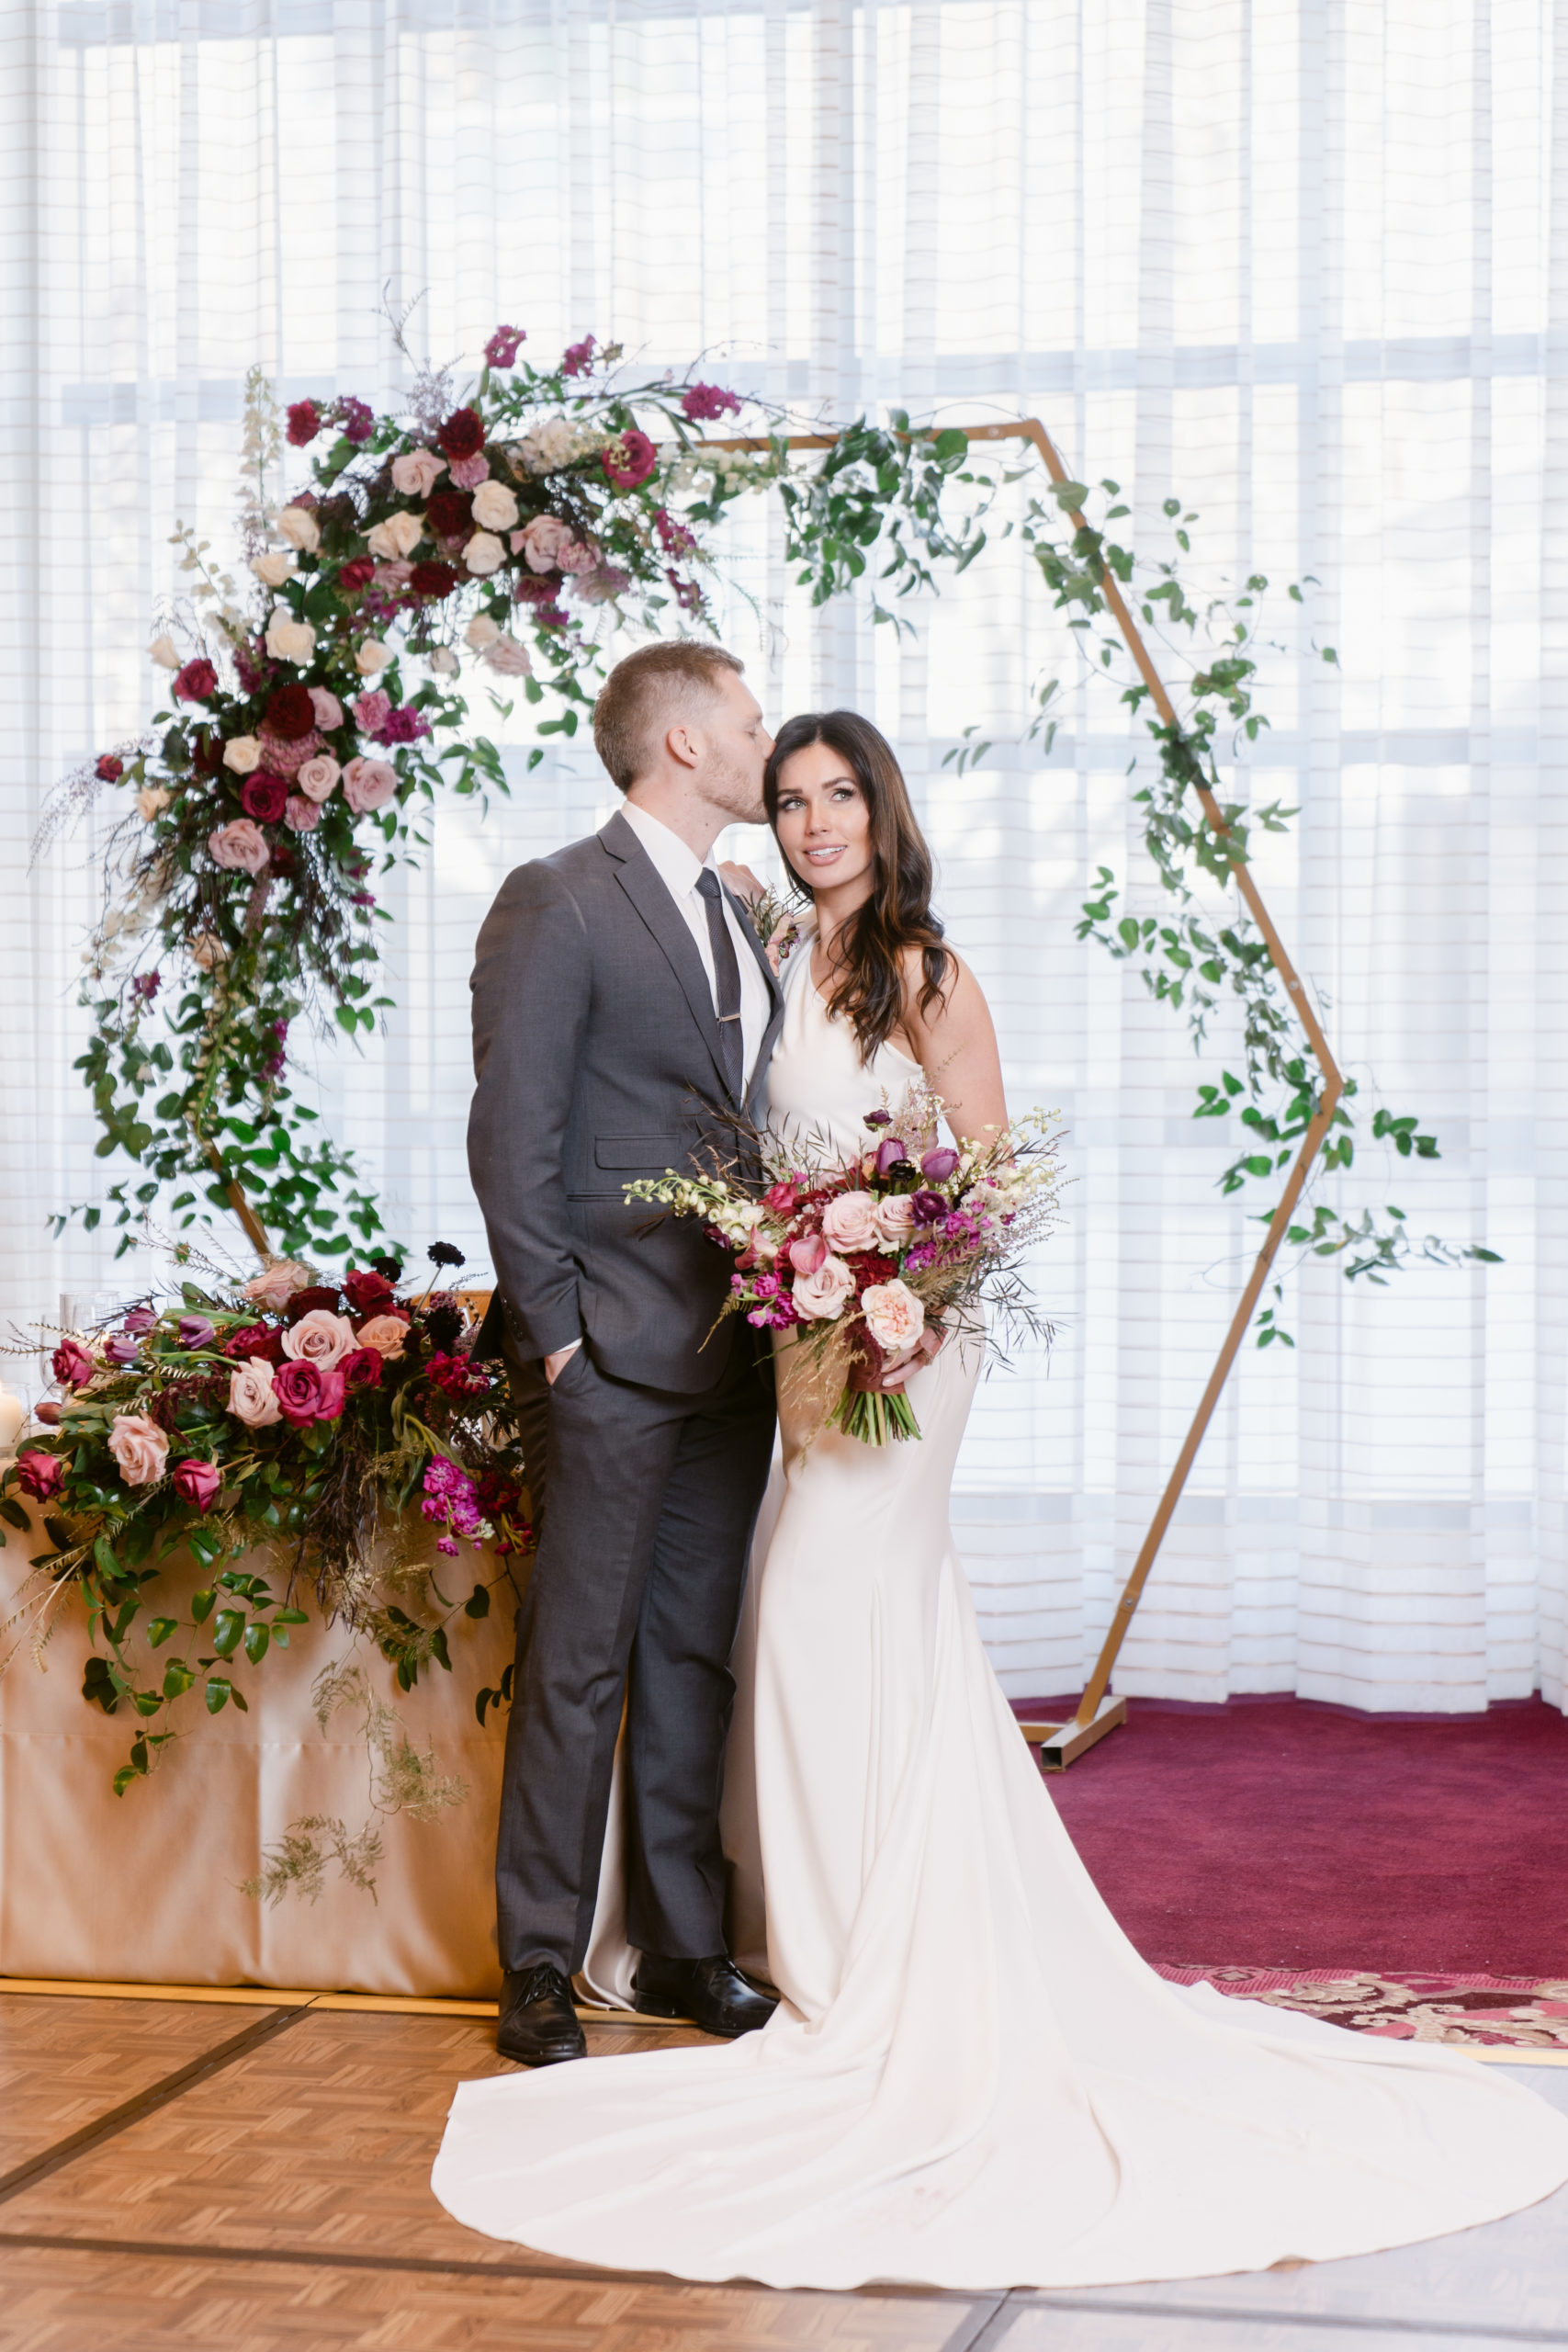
[1510,2012]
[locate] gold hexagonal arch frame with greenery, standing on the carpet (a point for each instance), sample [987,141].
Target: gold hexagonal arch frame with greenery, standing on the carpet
[1097,1713]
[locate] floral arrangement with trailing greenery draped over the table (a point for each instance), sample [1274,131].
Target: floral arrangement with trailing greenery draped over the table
[293,1412]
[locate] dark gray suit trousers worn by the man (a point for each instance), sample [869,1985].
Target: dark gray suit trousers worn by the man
[645,1521]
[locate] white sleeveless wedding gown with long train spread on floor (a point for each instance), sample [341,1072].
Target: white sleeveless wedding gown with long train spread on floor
[972,2078]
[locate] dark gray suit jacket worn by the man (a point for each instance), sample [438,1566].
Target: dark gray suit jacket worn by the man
[598,1062]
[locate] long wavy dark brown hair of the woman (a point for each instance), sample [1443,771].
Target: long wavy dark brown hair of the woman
[869,982]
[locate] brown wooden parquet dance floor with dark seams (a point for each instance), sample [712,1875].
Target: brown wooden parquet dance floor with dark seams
[257,2177]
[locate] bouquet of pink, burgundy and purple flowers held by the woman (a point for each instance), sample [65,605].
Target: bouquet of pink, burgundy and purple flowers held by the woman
[883,1257]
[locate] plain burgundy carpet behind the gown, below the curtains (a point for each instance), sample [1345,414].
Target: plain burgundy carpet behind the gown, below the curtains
[1280,1833]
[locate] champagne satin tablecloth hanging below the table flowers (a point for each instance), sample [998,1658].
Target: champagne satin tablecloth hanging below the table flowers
[147,1887]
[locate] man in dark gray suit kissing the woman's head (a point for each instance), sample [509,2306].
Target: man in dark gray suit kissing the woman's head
[622,1003]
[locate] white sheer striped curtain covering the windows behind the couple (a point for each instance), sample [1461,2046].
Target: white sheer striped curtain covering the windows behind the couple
[1306,265]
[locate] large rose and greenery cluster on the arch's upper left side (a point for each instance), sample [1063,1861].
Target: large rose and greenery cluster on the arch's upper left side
[507,528]
